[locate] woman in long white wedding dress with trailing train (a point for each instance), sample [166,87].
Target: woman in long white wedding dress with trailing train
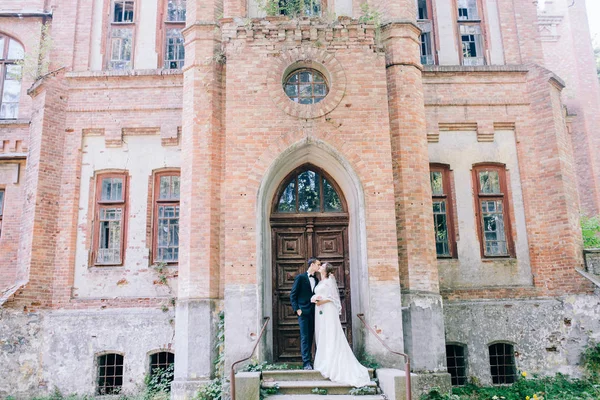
[334,358]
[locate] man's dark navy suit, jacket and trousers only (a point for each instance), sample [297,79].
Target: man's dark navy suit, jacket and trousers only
[300,299]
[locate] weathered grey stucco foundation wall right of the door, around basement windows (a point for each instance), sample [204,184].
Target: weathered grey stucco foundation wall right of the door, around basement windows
[548,335]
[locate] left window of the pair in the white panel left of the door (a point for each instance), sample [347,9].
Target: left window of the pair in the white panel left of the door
[111,192]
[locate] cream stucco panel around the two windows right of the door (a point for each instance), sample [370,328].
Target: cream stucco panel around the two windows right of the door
[461,150]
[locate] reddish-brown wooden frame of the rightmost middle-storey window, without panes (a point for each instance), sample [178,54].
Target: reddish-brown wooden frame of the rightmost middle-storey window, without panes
[506,204]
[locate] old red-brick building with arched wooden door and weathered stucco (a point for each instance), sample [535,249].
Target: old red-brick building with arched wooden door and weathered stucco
[226,146]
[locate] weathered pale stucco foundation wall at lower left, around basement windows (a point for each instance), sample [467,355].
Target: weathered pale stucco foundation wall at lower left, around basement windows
[47,350]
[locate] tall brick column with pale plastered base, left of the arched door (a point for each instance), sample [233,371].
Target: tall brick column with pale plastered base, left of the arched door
[199,273]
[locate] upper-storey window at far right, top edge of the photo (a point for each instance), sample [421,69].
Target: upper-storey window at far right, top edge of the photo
[470,33]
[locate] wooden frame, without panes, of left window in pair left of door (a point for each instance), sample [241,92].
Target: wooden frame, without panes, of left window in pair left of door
[99,204]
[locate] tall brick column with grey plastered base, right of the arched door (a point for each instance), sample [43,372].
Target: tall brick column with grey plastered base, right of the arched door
[423,320]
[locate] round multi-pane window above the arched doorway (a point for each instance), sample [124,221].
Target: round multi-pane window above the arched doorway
[306,86]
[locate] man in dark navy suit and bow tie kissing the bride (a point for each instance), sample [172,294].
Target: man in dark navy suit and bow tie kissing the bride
[302,291]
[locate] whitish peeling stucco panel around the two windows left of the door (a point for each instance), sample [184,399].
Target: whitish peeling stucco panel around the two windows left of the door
[140,156]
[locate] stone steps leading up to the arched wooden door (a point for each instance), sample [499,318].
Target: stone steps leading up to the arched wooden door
[299,385]
